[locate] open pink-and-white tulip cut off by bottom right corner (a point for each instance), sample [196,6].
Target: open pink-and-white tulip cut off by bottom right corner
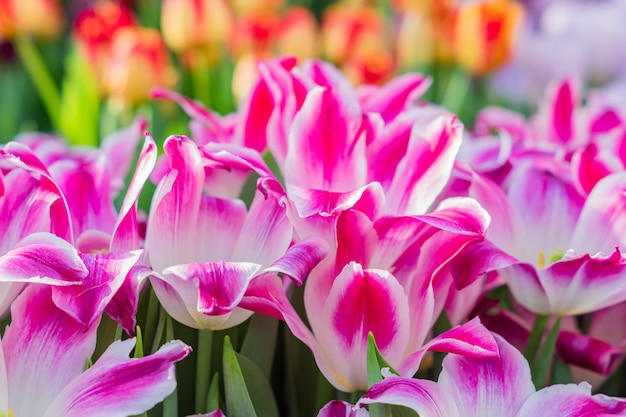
[485,387]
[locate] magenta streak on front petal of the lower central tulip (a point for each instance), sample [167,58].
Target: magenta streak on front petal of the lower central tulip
[366,305]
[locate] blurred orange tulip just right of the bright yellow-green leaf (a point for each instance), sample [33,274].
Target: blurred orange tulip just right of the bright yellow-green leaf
[139,61]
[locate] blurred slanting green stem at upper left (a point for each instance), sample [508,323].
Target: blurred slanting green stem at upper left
[40,76]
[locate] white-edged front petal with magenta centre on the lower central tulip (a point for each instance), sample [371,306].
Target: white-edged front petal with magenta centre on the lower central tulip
[362,301]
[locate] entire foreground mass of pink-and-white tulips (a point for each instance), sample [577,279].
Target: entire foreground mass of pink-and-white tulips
[371,200]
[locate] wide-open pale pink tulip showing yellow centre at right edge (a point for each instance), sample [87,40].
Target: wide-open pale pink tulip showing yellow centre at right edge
[568,249]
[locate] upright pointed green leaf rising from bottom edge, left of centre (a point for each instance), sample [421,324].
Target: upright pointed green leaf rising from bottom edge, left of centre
[238,402]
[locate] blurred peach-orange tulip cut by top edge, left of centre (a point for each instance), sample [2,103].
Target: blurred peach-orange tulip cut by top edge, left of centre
[196,24]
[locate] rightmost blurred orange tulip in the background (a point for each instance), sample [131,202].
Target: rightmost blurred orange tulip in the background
[484,34]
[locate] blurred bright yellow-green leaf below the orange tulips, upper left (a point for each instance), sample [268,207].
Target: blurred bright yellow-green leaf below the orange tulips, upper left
[79,119]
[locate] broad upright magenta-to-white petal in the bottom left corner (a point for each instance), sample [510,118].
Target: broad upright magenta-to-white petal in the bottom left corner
[44,350]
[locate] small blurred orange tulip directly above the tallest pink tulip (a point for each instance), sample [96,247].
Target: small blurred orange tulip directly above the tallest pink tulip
[297,34]
